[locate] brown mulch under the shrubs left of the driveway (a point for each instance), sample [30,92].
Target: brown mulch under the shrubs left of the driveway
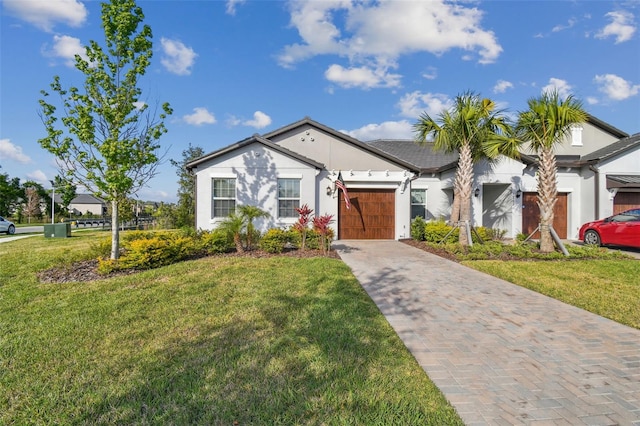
[87,270]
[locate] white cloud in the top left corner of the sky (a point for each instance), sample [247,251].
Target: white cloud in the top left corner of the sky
[44,14]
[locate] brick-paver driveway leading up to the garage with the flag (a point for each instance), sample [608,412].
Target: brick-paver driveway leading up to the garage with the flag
[501,354]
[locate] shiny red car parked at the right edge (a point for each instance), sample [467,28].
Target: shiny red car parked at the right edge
[622,229]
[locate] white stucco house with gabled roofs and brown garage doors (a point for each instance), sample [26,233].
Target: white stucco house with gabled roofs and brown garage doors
[391,181]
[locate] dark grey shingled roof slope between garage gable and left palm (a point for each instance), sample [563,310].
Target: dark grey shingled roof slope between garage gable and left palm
[422,157]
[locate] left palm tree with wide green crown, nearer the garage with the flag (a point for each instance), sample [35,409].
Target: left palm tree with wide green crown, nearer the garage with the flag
[465,128]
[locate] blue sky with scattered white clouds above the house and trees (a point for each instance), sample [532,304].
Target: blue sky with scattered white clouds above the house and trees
[230,69]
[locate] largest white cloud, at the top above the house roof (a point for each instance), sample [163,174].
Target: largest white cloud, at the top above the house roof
[383,31]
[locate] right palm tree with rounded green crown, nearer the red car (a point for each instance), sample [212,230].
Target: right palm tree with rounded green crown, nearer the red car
[544,125]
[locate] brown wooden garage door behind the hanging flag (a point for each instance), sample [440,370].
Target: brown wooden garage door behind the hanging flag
[371,217]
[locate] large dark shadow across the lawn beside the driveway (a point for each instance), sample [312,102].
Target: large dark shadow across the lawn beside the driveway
[326,357]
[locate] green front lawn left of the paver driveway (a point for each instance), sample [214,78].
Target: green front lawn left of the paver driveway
[211,341]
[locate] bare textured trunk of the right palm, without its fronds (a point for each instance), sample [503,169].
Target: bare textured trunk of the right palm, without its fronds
[547,196]
